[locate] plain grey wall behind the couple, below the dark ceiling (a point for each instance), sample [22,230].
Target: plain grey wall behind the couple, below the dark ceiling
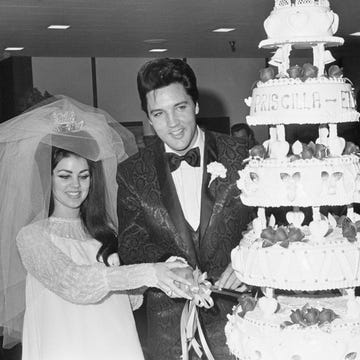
[223,84]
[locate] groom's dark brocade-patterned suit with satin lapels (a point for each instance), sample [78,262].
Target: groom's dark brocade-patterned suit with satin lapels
[152,227]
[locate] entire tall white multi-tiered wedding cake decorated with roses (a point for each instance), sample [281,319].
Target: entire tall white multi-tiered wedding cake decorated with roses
[316,266]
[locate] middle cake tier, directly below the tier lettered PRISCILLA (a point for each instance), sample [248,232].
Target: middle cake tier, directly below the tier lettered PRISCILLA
[309,182]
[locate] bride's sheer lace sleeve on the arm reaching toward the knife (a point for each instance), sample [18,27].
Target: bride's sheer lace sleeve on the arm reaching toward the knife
[82,284]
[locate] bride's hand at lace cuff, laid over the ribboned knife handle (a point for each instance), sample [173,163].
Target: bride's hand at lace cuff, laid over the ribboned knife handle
[170,280]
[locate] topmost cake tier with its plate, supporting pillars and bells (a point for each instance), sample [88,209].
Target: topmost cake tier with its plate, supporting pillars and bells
[302,24]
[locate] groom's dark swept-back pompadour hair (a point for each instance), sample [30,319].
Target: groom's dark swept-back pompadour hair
[162,72]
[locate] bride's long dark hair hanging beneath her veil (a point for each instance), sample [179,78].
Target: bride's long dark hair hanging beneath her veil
[93,210]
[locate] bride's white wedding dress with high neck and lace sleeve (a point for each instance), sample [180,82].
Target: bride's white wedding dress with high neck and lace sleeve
[70,313]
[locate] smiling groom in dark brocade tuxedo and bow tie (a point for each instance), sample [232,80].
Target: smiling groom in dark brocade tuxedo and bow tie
[167,207]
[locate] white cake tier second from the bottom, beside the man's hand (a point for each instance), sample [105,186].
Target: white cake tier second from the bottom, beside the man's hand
[329,263]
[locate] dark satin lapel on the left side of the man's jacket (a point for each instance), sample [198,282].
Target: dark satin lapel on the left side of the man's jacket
[172,204]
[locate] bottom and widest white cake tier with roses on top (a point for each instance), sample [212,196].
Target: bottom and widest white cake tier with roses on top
[257,338]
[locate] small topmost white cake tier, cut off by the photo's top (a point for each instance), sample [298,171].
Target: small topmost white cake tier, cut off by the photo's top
[308,19]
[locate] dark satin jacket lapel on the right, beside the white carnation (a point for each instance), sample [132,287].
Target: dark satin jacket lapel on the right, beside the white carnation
[207,198]
